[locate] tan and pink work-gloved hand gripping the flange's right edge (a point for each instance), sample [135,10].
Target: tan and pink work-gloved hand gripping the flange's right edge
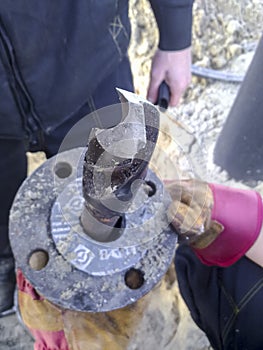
[219,222]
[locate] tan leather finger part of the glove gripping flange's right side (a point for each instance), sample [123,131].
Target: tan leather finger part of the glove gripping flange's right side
[190,212]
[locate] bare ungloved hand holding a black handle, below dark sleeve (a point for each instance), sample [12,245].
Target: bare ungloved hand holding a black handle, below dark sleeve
[175,68]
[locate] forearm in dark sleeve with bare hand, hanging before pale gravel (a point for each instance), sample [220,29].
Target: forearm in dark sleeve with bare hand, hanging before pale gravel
[172,60]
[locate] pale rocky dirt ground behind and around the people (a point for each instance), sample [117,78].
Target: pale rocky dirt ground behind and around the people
[225,35]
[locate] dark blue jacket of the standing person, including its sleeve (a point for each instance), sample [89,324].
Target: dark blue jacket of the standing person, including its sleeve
[53,54]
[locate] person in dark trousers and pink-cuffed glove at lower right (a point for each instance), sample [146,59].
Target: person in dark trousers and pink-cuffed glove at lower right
[219,260]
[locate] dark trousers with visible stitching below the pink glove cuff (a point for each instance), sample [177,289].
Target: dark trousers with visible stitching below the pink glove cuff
[226,303]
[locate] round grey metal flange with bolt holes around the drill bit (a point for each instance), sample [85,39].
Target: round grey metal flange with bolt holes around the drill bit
[78,272]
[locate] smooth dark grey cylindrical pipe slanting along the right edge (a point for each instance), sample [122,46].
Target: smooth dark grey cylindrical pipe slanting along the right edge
[239,148]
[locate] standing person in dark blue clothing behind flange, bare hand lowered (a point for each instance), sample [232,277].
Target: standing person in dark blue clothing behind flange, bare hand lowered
[60,61]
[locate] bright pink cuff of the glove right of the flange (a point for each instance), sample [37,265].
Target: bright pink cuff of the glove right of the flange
[241,214]
